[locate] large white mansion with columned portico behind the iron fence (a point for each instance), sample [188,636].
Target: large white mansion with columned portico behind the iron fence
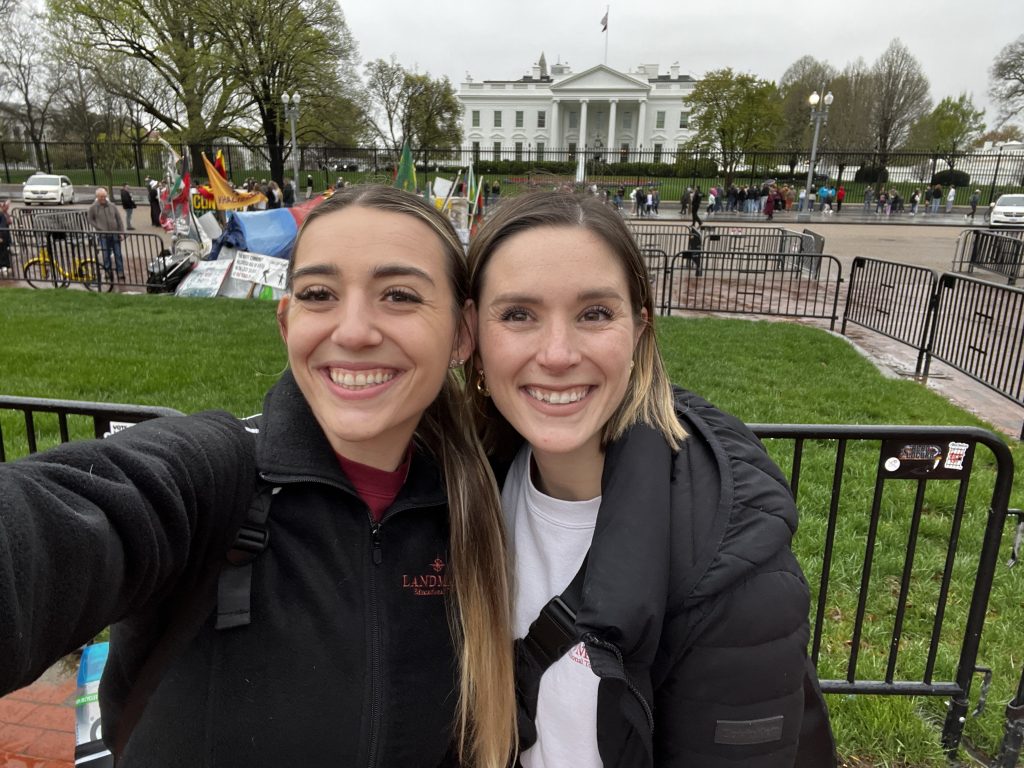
[601,110]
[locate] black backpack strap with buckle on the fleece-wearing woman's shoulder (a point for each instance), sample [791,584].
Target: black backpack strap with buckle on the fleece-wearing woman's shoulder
[235,585]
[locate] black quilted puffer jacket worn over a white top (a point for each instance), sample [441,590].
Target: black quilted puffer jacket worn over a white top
[695,611]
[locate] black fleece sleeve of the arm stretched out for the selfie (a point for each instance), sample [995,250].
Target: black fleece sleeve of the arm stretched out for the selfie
[96,531]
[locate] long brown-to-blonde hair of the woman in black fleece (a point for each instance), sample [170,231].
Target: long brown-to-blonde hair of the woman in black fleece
[482,610]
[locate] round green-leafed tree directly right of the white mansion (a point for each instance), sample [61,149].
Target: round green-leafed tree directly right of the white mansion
[735,114]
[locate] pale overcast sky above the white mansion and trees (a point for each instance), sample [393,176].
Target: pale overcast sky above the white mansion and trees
[955,40]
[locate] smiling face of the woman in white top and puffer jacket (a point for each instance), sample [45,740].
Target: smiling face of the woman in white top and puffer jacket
[556,335]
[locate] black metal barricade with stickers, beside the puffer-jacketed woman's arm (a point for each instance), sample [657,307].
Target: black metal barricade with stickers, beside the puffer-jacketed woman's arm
[920,484]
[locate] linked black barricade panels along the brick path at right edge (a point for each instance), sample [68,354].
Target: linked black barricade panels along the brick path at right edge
[973,326]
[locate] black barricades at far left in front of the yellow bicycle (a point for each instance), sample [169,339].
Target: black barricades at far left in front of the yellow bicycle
[52,257]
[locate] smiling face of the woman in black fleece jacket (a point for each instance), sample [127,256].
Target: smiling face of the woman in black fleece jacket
[371,326]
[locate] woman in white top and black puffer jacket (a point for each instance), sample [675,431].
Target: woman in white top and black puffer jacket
[663,620]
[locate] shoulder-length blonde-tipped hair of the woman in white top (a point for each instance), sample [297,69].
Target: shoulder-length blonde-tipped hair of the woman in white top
[649,397]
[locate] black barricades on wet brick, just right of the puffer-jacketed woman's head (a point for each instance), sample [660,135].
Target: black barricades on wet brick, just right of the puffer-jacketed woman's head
[740,270]
